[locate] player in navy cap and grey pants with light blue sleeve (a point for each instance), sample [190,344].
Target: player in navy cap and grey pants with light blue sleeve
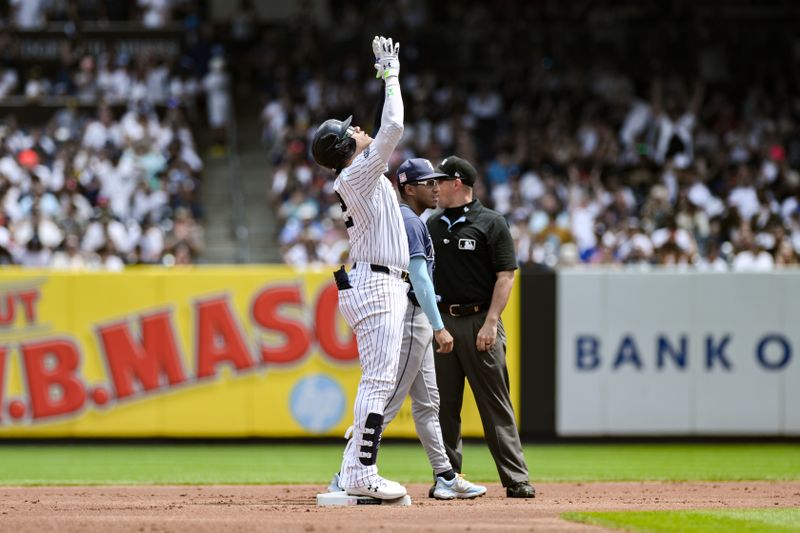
[416,374]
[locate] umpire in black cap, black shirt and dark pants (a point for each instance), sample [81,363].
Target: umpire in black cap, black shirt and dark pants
[474,274]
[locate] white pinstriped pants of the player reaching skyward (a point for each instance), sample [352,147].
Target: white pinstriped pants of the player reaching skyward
[374,308]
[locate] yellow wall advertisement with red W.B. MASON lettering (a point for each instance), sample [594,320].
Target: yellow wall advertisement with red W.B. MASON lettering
[200,352]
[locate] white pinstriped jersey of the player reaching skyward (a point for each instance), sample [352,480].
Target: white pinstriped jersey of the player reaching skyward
[369,204]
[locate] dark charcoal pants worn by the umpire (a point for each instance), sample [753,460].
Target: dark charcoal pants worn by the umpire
[488,377]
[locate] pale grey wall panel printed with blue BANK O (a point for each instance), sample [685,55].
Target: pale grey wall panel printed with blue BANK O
[668,353]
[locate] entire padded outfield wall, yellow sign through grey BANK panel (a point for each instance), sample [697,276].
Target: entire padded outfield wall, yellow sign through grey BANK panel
[263,352]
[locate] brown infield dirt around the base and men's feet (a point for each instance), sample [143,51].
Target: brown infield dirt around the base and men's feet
[290,508]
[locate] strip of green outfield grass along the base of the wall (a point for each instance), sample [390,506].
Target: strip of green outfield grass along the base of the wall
[309,463]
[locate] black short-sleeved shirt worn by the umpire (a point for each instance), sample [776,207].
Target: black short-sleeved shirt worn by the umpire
[472,243]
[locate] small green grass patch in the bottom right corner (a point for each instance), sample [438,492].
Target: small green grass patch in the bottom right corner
[722,520]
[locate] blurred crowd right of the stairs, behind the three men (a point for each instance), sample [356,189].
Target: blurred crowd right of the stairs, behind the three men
[595,150]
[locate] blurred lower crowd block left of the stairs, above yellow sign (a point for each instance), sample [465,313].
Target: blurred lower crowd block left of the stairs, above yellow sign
[99,193]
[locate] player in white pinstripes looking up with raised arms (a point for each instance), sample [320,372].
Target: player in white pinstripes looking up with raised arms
[372,296]
